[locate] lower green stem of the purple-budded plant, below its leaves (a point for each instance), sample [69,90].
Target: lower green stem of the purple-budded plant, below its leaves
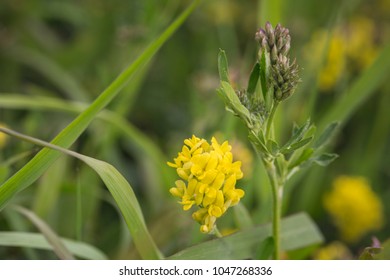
[277,195]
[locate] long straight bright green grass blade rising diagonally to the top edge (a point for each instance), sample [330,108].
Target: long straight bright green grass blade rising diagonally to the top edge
[38,165]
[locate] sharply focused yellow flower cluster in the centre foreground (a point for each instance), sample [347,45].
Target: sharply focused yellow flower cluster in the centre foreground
[209,177]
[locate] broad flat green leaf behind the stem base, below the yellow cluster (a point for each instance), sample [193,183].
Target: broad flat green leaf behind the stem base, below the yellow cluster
[297,231]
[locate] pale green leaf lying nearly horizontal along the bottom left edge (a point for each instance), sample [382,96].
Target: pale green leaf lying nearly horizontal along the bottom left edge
[38,241]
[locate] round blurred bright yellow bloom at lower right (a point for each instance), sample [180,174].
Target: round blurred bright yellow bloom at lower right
[354,207]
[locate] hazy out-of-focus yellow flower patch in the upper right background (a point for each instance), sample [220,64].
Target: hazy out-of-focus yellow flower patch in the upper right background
[348,48]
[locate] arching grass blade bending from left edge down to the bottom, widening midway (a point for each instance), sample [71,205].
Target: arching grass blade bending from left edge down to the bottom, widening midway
[119,188]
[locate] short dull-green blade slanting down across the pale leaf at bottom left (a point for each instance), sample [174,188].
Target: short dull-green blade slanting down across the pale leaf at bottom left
[58,247]
